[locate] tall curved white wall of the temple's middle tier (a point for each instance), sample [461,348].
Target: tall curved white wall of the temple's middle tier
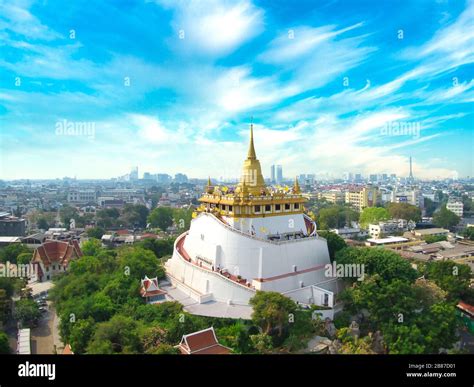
[253,258]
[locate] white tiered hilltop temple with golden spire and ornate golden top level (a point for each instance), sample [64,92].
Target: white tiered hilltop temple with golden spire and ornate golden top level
[248,238]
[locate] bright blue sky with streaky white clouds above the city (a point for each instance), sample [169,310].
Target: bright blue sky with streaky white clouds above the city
[170,86]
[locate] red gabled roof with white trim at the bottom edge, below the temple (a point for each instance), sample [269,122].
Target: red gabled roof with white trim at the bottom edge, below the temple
[202,343]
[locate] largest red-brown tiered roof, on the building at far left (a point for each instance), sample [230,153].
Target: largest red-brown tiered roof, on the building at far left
[57,252]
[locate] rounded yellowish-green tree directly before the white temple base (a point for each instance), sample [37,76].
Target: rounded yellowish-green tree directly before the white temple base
[271,311]
